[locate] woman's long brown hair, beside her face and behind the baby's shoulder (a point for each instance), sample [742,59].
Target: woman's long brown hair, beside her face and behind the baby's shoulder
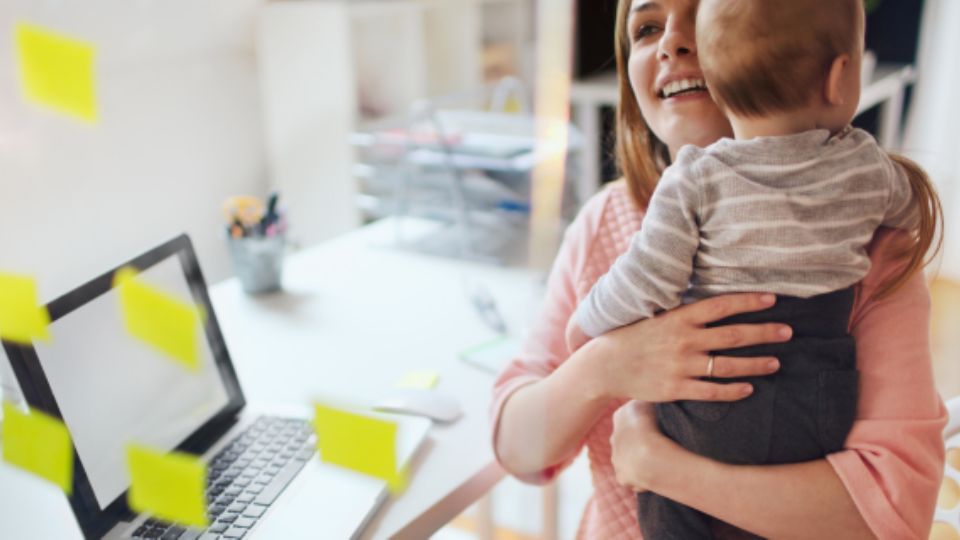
[642,157]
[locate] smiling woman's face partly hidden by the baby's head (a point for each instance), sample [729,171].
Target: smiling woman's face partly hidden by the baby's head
[665,74]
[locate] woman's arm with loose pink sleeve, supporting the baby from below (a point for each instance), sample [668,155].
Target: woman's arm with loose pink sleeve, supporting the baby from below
[885,481]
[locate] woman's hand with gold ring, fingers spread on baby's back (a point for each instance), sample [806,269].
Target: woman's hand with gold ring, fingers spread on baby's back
[664,358]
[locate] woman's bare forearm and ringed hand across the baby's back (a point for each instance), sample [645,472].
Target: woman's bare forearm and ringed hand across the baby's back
[658,359]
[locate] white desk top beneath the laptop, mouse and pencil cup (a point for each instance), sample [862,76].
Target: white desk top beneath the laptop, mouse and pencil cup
[354,317]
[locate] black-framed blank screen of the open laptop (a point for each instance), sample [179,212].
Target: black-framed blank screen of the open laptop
[111,388]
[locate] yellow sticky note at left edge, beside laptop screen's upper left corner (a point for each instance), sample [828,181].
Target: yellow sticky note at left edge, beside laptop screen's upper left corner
[22,319]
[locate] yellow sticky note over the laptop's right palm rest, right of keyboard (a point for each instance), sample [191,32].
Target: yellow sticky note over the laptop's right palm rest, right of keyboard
[359,442]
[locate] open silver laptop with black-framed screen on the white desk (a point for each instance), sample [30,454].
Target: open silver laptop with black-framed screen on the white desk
[265,479]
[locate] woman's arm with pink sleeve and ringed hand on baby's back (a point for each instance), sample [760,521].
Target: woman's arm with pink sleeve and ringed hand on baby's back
[547,401]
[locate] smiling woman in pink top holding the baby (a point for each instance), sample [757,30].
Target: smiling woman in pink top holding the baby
[550,403]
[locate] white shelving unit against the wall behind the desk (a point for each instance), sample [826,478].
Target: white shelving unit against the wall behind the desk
[328,66]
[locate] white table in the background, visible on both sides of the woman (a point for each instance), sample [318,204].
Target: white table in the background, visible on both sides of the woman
[887,88]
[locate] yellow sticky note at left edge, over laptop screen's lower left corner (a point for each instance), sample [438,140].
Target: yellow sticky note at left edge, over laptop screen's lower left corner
[38,443]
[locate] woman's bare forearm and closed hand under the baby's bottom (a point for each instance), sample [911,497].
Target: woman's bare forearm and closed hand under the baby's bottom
[800,500]
